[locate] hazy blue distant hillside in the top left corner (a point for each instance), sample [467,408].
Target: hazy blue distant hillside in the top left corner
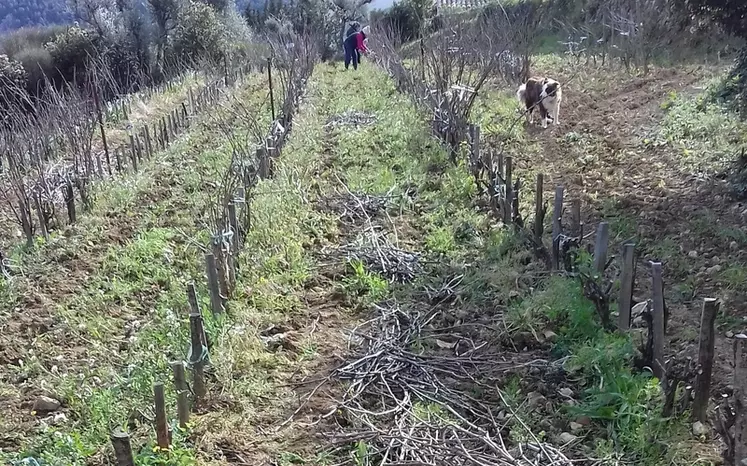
[16,14]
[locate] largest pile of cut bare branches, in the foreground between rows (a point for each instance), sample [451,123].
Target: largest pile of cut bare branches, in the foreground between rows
[414,408]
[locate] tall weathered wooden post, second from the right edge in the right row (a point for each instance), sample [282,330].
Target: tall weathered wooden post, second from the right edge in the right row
[706,347]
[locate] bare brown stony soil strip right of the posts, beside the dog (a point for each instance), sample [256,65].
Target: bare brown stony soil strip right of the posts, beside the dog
[606,151]
